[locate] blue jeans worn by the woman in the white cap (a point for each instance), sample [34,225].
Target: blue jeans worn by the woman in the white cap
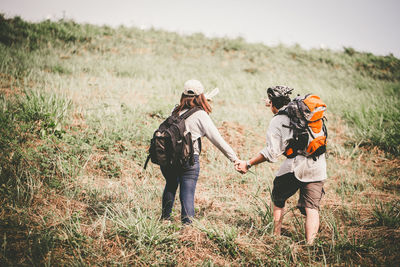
[186,177]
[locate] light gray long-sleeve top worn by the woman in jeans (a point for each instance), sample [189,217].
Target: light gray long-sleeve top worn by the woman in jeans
[200,124]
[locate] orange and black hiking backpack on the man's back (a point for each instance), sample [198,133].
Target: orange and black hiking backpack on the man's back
[307,120]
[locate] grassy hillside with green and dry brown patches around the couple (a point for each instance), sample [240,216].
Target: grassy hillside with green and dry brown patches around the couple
[79,104]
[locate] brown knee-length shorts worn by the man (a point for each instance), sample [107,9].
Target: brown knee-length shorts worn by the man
[287,185]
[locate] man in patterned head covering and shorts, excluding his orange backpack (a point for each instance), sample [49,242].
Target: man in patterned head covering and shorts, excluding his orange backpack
[300,172]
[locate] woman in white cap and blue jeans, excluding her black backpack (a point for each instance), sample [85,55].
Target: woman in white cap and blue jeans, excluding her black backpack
[199,124]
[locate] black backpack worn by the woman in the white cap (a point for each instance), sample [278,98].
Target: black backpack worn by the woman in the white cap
[171,145]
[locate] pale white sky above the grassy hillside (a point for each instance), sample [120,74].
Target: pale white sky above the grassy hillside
[366,25]
